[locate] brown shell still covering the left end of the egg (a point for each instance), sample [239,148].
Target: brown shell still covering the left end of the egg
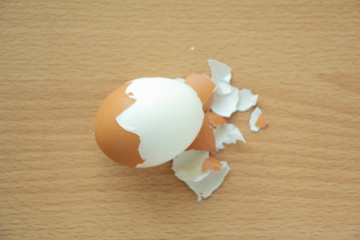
[117,143]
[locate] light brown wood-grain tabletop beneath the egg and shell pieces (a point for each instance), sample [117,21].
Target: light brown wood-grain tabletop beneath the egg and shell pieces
[297,179]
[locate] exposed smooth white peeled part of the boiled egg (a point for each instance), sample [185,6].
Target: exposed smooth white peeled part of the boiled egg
[167,116]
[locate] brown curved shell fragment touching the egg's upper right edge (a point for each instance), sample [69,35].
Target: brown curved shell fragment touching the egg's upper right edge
[204,88]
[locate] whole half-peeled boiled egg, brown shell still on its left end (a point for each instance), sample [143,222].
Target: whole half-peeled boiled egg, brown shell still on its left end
[148,121]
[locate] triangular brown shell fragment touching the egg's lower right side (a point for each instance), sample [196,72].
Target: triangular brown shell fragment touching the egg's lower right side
[205,140]
